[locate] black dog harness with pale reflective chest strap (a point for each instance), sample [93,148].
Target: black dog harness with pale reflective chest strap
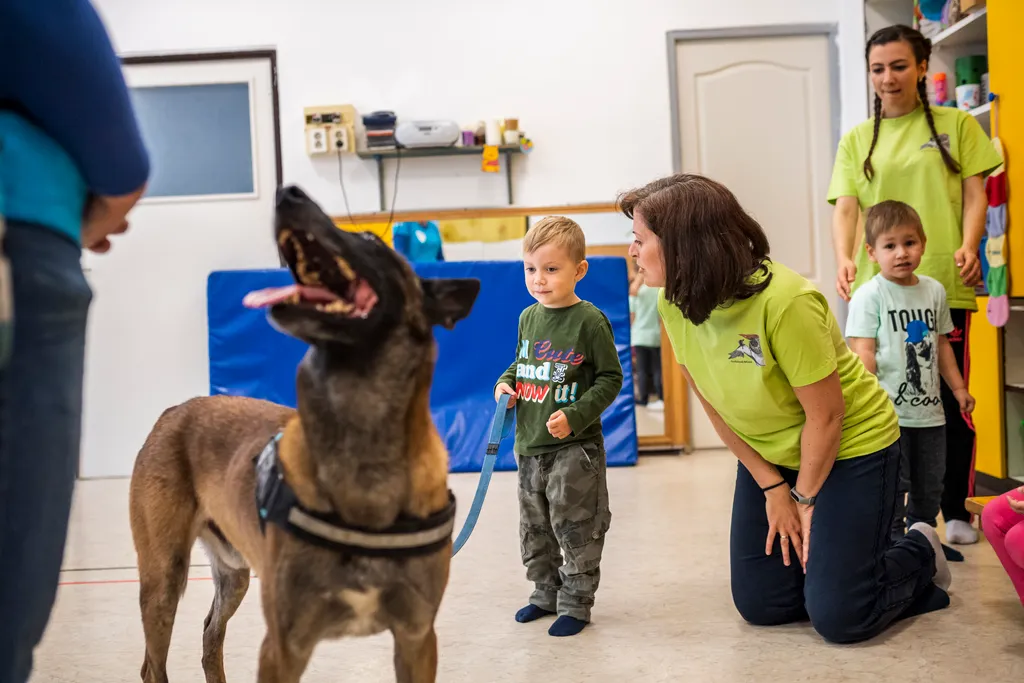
[278,504]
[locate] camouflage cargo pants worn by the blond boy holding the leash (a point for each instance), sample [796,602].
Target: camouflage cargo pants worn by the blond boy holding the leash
[564,509]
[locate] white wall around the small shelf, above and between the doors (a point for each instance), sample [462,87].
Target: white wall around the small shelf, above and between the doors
[587,79]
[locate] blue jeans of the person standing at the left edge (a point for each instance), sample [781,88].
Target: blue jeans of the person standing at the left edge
[40,430]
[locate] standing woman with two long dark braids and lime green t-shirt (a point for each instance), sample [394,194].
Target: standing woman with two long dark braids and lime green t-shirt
[934,159]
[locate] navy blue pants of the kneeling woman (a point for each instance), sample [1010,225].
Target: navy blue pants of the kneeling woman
[858,582]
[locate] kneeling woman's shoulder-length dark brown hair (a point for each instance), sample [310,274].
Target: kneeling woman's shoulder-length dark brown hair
[712,247]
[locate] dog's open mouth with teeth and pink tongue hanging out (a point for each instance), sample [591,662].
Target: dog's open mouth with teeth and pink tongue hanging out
[323,281]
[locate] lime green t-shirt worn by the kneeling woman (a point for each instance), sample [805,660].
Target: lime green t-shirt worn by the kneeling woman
[747,358]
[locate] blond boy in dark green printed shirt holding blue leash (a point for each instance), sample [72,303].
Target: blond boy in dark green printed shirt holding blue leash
[566,374]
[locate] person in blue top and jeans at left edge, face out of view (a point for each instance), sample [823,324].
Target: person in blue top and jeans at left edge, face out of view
[72,165]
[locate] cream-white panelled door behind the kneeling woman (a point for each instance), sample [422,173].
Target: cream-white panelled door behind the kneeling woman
[756,114]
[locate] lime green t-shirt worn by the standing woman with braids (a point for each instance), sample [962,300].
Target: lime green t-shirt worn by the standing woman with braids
[910,168]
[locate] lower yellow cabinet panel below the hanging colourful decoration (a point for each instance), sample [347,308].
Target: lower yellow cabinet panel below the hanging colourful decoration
[986,385]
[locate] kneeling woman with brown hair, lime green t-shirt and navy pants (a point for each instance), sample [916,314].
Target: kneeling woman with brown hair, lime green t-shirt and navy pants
[817,437]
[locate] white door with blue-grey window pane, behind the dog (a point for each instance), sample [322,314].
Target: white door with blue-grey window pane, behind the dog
[210,131]
